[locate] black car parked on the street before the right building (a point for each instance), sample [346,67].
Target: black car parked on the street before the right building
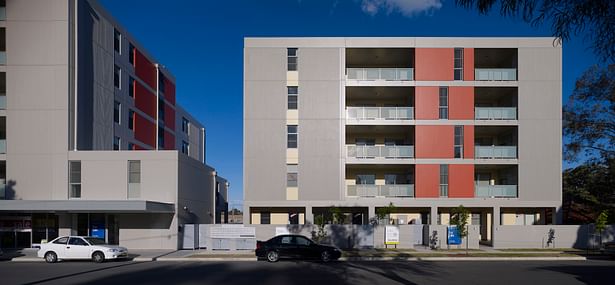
[295,246]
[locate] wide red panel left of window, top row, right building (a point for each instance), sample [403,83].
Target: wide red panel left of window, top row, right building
[434,64]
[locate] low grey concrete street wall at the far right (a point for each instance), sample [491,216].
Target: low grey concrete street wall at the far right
[538,236]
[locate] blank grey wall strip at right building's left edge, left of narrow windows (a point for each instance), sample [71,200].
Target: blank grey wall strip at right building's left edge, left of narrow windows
[265,124]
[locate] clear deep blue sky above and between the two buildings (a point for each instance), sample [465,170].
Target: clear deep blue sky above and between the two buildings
[201,42]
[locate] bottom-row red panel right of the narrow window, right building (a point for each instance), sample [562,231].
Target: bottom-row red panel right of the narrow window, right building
[461,181]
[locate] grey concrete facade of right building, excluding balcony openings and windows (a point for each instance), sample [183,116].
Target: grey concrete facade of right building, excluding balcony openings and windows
[322,124]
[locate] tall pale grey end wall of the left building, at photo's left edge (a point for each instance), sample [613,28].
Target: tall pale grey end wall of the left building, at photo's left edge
[37,38]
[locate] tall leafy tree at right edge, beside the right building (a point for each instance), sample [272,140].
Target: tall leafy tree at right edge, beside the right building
[589,115]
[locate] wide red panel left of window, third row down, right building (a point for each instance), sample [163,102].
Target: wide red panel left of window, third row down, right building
[434,141]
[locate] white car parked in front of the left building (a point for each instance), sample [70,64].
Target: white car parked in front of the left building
[77,247]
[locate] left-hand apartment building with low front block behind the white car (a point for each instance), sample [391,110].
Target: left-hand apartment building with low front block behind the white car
[92,140]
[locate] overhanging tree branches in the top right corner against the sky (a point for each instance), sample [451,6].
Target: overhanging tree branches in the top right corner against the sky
[595,18]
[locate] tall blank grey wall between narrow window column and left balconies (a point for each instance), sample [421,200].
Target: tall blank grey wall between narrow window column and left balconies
[320,125]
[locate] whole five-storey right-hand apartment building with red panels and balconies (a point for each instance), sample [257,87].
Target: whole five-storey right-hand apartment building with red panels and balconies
[427,124]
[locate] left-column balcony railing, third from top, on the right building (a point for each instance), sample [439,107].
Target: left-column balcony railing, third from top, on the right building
[381,151]
